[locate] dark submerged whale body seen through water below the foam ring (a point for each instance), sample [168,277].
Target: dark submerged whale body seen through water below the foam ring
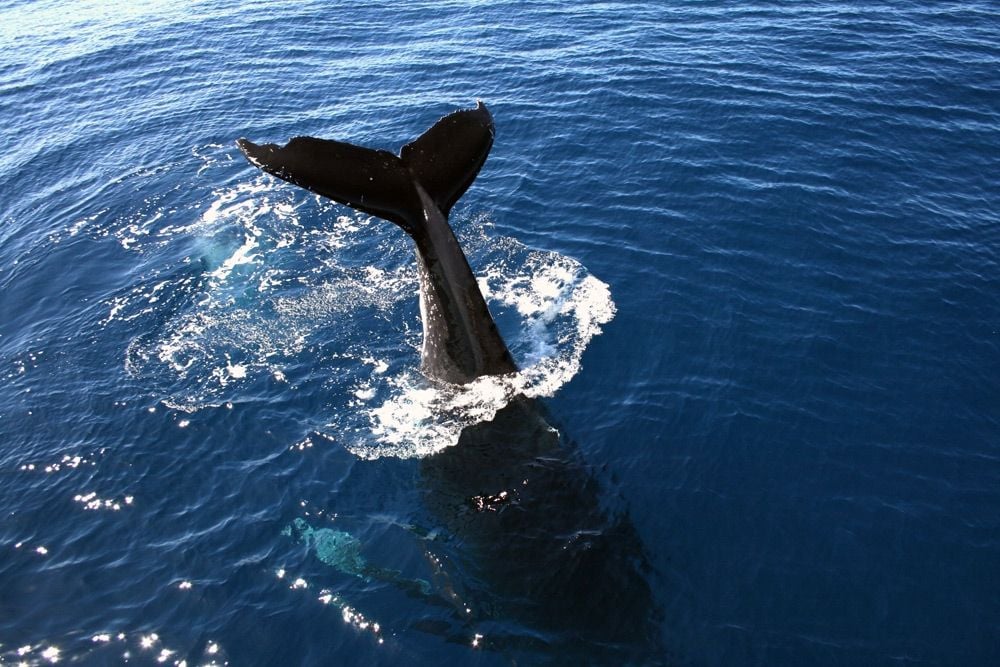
[547,567]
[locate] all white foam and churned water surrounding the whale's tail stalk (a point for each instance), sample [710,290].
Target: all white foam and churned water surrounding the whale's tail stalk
[278,282]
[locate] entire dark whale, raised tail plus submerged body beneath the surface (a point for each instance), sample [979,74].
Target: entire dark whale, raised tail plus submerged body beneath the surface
[546,562]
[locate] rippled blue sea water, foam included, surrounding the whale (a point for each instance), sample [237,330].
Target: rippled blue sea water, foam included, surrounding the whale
[786,381]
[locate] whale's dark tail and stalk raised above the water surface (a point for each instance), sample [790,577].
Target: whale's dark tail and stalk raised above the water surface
[415,190]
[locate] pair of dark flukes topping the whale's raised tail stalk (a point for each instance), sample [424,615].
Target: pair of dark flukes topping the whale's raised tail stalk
[443,161]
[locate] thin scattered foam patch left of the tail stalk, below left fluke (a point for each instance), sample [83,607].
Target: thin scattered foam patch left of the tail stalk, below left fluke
[258,290]
